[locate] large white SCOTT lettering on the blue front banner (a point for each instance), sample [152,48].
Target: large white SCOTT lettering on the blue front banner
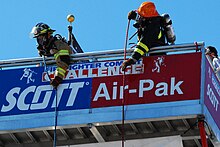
[40,96]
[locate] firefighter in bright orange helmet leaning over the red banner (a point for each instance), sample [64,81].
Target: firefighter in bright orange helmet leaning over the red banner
[150,31]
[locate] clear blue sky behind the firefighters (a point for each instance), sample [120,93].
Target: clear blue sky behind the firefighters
[100,24]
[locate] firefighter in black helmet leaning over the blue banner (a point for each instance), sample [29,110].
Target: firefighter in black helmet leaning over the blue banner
[49,45]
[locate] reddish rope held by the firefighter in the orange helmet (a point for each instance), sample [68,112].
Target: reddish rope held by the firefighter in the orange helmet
[123,100]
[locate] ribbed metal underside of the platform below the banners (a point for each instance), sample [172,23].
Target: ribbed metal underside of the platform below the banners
[187,128]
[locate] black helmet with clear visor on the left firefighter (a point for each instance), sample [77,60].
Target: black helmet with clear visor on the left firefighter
[40,29]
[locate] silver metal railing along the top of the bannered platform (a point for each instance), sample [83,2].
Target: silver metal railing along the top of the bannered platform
[100,55]
